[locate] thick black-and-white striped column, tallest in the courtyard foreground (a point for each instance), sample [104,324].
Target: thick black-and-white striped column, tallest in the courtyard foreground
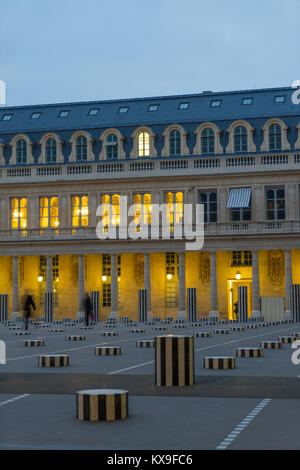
[174,361]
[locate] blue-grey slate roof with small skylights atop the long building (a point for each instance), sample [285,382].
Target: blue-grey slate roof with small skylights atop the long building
[200,109]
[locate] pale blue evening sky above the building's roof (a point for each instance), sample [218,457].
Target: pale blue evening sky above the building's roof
[75,50]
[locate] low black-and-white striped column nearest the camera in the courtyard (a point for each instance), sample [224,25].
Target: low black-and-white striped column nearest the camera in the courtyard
[101,405]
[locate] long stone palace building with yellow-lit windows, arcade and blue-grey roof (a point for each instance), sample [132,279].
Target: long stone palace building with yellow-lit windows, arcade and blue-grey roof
[237,153]
